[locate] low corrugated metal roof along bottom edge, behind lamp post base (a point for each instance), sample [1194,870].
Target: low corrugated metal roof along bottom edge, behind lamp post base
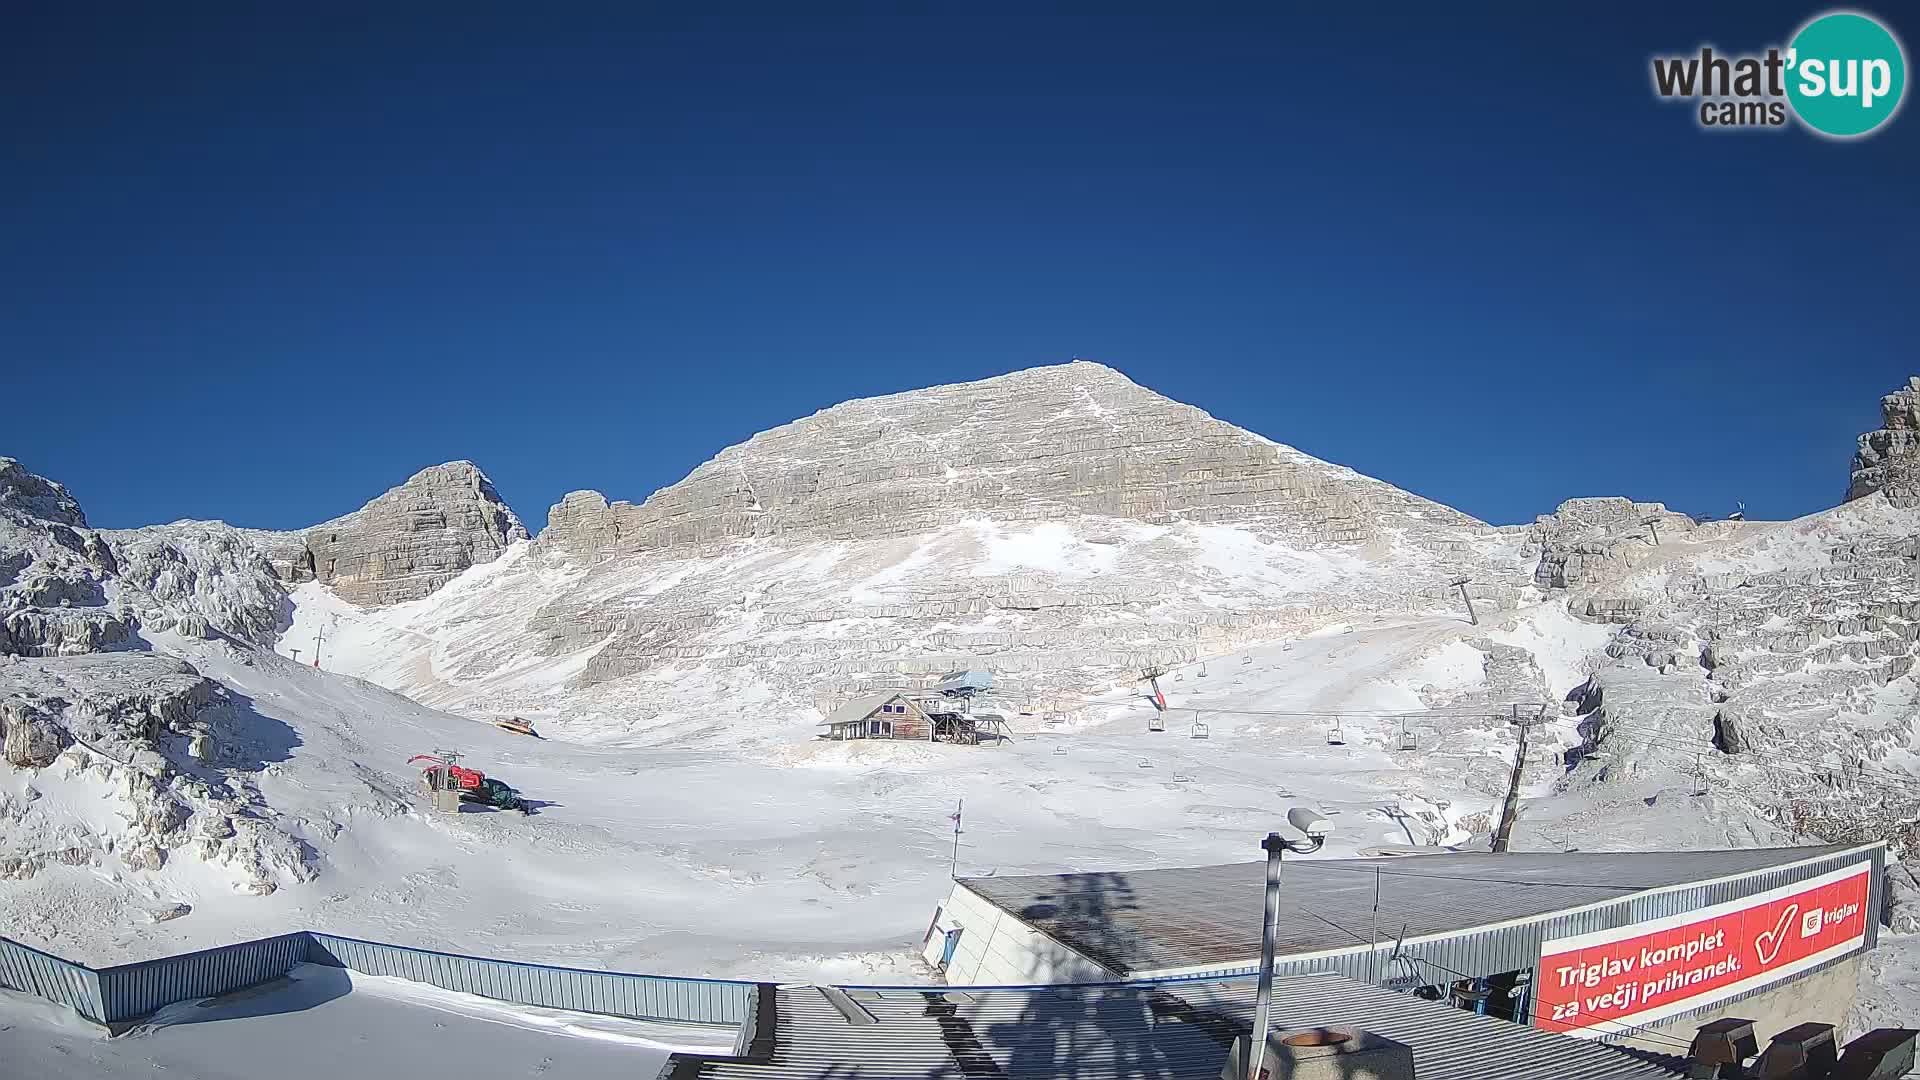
[1138,1033]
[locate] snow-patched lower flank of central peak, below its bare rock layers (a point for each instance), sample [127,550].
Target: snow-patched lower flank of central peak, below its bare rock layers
[756,641]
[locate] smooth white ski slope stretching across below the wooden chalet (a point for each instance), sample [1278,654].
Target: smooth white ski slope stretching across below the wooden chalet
[805,860]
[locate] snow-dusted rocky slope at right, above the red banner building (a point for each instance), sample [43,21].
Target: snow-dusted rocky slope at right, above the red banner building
[1773,668]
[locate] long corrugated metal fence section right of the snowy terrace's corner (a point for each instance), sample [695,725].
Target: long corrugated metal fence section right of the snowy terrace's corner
[615,994]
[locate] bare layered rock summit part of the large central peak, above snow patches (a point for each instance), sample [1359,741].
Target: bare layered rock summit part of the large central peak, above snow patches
[1040,445]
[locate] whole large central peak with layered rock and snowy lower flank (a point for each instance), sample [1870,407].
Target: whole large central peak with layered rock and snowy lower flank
[1059,526]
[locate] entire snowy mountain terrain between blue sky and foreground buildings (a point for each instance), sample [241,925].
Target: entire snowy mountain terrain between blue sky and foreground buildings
[178,779]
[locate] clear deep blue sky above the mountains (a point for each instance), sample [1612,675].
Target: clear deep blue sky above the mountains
[266,264]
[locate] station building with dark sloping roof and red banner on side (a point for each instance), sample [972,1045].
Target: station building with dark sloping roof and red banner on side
[1598,946]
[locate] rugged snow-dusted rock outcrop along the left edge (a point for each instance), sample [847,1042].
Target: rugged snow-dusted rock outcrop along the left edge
[76,689]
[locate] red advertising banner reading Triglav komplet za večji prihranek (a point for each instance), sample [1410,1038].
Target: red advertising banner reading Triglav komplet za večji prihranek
[1595,985]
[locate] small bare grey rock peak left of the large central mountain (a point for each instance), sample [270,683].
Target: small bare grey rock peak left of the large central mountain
[408,543]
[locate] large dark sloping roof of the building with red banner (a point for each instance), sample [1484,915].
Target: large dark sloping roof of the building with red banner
[1140,921]
